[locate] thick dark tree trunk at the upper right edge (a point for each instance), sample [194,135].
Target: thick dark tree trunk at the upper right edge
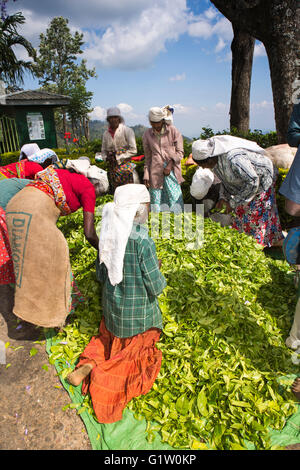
[274,23]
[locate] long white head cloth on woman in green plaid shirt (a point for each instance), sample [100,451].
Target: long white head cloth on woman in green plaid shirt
[116,226]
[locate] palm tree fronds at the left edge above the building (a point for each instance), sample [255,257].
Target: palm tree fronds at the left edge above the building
[12,69]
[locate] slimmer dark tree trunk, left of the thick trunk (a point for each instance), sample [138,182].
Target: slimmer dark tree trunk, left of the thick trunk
[242,48]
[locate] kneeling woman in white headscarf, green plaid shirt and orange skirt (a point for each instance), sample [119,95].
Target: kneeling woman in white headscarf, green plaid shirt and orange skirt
[123,362]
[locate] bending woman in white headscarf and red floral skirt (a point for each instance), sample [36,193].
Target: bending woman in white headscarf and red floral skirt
[248,179]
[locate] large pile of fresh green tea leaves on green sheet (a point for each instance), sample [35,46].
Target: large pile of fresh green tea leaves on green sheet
[227,310]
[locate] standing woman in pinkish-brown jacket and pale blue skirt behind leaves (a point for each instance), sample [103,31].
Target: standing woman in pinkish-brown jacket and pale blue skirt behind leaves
[163,149]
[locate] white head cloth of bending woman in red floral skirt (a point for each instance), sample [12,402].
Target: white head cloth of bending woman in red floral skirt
[202,149]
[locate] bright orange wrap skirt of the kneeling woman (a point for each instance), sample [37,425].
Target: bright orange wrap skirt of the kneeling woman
[125,368]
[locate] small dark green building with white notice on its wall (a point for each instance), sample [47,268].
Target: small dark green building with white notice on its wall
[28,117]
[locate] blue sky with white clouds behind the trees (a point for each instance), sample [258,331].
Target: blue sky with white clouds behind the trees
[155,53]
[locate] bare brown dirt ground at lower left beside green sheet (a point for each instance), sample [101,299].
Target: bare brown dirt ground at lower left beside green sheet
[31,398]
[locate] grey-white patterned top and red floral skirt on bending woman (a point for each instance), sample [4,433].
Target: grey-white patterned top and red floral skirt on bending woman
[248,184]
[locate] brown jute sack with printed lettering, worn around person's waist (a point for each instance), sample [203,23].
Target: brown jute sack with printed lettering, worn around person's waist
[41,259]
